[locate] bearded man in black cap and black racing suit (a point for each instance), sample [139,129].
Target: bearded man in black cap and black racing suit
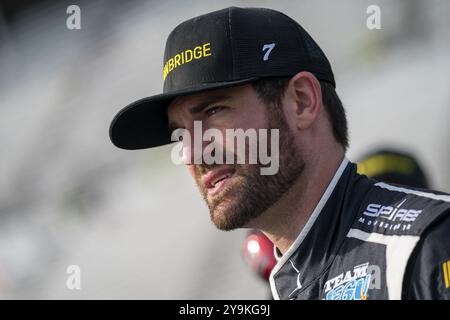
[337,234]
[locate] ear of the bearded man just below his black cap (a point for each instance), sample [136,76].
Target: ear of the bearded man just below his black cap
[305,97]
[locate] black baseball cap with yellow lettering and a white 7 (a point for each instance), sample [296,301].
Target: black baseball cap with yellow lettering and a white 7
[224,48]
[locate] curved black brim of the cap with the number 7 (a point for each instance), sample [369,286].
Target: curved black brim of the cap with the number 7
[144,123]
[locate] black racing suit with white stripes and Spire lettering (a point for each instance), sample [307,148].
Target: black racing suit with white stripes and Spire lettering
[369,240]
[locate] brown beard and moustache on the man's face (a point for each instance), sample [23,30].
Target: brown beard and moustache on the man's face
[250,194]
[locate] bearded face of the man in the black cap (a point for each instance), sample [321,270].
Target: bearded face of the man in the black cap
[236,193]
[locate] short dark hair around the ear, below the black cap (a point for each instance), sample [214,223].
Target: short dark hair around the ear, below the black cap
[271,92]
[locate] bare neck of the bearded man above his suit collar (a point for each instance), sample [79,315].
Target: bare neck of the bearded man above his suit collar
[284,221]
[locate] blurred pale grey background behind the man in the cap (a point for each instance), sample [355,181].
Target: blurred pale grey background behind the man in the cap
[133,221]
